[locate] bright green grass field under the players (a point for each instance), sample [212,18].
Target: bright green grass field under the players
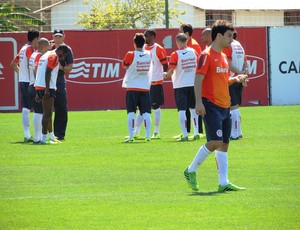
[94,181]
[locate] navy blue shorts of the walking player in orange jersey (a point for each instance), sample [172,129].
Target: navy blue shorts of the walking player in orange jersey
[217,122]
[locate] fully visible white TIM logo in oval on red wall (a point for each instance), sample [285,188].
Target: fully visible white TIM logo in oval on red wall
[96,70]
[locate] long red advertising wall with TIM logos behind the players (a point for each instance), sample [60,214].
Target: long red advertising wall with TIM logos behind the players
[96,79]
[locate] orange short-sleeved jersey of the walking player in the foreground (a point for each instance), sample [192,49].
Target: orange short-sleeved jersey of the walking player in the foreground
[214,66]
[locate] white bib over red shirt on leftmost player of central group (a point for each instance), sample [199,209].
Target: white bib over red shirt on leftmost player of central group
[137,76]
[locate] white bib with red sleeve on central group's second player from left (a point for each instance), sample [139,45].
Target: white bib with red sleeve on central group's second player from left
[159,58]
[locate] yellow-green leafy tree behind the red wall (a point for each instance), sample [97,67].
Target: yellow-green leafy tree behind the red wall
[125,14]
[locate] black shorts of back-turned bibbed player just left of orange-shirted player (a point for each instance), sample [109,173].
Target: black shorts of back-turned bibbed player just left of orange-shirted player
[185,98]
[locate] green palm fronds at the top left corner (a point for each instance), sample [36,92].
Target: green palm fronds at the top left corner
[9,13]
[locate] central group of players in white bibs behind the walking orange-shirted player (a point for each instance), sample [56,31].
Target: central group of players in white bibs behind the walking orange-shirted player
[185,101]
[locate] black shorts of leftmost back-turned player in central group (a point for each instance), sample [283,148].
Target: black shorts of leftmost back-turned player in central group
[138,99]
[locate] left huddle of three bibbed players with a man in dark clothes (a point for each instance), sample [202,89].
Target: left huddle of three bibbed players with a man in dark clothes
[41,67]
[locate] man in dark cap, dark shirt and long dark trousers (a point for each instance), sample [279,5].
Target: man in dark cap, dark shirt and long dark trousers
[60,102]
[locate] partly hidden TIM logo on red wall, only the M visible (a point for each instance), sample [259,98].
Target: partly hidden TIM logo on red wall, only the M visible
[256,67]
